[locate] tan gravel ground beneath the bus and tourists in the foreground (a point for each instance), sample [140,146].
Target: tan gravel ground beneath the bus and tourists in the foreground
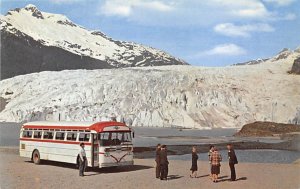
[17,172]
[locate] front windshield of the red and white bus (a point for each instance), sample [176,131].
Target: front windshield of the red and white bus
[114,138]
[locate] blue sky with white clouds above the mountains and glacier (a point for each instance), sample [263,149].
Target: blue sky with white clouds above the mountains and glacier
[208,33]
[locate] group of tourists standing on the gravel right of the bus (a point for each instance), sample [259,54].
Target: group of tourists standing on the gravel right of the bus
[214,158]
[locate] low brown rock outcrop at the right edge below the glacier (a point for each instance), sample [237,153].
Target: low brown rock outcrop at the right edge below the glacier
[263,129]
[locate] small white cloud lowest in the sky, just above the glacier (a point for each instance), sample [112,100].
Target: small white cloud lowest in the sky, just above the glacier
[225,50]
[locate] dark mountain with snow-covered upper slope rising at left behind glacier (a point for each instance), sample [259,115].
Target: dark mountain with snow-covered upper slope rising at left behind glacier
[33,41]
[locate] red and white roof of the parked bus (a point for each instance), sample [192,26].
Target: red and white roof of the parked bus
[68,125]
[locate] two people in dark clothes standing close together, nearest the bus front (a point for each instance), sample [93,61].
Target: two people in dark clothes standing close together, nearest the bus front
[162,162]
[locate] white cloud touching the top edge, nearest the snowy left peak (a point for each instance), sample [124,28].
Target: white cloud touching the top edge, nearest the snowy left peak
[127,8]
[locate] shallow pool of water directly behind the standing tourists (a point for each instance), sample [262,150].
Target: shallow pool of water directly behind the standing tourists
[256,156]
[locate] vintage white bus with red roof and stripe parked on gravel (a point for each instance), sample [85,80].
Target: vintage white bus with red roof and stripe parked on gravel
[107,144]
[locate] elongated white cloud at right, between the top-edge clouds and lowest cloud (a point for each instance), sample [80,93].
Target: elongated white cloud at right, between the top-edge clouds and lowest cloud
[233,30]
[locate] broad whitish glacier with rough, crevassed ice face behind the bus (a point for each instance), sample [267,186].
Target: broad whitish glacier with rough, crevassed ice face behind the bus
[159,96]
